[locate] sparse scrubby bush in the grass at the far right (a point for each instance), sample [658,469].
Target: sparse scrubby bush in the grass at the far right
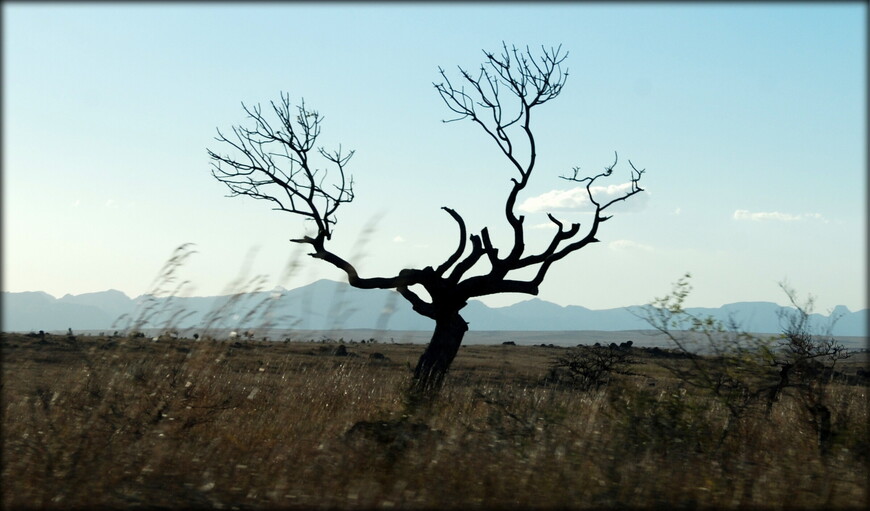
[750,374]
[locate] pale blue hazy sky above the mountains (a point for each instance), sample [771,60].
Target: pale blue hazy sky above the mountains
[750,121]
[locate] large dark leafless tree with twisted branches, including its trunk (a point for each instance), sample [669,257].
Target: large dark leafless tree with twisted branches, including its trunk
[280,164]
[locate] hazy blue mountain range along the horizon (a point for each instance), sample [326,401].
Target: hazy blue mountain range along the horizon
[329,305]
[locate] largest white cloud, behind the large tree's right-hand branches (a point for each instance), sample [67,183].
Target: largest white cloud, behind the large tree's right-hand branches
[577,199]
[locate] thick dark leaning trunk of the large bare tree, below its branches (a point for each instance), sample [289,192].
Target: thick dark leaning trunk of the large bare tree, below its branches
[435,361]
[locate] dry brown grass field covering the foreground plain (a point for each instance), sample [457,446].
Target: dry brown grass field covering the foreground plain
[126,423]
